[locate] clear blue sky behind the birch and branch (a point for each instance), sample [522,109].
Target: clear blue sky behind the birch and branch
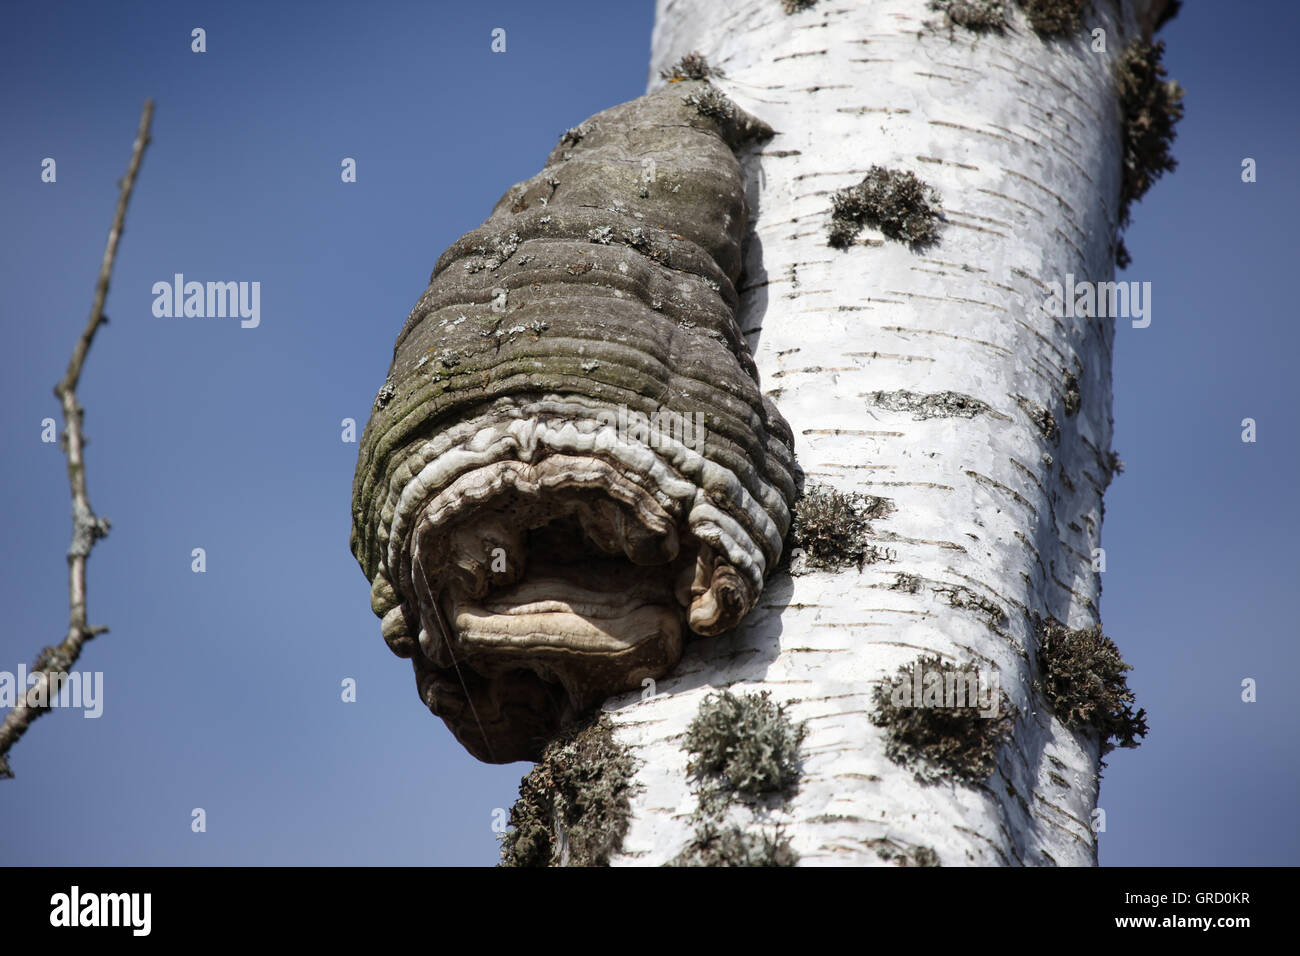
[223,690]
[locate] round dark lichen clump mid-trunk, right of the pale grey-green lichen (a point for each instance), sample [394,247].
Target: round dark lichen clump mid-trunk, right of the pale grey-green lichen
[941,742]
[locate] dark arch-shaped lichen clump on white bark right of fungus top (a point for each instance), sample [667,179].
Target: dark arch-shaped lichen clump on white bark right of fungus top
[896,202]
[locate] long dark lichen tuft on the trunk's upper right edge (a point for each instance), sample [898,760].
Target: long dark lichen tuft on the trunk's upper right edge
[1151,107]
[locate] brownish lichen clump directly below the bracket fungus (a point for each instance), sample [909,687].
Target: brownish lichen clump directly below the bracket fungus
[573,806]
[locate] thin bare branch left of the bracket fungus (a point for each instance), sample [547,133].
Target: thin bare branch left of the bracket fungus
[88,527]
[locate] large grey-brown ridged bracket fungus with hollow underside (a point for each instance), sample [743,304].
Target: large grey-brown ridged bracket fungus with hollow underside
[530,547]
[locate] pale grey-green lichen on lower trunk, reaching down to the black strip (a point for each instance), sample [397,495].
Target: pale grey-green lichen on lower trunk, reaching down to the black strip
[744,749]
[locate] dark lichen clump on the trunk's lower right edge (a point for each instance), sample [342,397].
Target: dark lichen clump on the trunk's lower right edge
[1084,682]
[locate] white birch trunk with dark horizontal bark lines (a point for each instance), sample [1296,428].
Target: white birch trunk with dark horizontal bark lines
[999,500]
